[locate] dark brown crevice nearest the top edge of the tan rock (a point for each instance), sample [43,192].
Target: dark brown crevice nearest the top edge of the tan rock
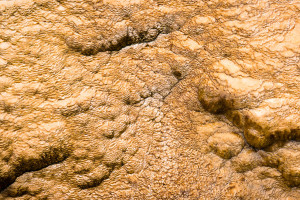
[129,35]
